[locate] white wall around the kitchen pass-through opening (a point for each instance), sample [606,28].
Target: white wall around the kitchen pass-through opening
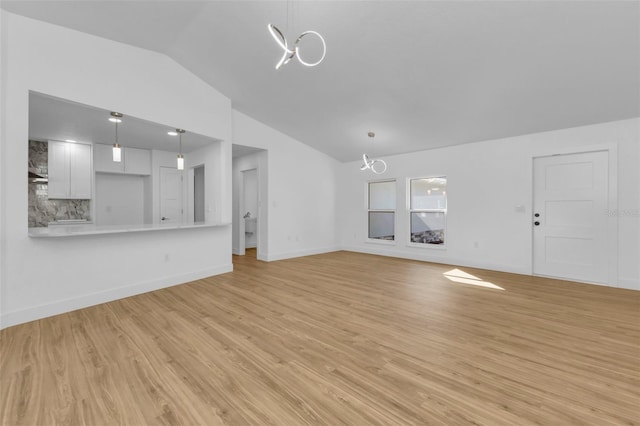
[42,277]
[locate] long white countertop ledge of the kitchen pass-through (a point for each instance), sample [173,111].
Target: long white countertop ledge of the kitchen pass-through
[91,229]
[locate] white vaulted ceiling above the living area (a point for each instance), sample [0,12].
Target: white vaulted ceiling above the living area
[421,74]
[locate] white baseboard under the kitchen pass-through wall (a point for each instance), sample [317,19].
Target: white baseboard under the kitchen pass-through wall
[9,319]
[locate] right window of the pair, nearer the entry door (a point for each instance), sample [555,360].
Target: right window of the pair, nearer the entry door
[428,210]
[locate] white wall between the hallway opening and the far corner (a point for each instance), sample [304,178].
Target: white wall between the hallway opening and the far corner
[301,191]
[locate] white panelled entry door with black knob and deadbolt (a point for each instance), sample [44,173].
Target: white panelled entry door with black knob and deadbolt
[570,198]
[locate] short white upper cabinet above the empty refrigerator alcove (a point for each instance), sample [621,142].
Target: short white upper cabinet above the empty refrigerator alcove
[134,161]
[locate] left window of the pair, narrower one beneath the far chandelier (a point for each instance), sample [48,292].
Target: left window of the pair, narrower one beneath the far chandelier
[382,210]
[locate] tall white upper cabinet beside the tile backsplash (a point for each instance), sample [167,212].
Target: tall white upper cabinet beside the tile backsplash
[70,171]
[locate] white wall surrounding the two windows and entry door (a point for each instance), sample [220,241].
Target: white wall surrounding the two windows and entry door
[486,181]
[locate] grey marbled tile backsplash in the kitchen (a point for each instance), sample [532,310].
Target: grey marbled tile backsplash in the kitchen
[42,210]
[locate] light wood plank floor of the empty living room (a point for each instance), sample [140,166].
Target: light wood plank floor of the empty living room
[341,338]
